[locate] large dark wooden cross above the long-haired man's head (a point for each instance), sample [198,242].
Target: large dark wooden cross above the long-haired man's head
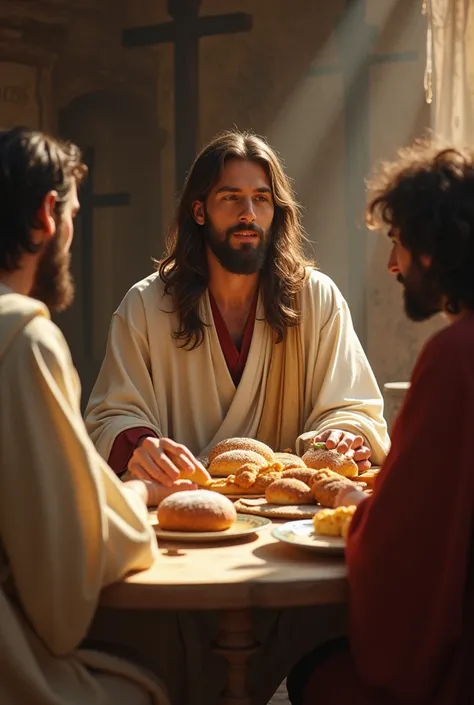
[184,32]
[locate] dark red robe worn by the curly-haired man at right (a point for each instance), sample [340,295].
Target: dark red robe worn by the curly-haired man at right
[410,549]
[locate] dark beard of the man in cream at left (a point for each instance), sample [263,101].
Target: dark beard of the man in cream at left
[53,284]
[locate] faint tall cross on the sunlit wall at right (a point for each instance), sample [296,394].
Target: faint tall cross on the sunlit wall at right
[356,61]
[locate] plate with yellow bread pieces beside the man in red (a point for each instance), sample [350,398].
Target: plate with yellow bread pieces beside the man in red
[325,533]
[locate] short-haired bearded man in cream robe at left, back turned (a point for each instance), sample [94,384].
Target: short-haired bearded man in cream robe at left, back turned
[68,526]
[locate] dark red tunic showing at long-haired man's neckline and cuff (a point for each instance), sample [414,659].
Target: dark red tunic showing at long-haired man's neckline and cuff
[126,442]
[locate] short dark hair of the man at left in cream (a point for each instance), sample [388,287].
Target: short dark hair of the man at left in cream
[31,165]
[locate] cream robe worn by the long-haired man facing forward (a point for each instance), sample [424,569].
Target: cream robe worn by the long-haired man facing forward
[146,380]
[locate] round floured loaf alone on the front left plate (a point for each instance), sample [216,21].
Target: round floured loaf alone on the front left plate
[196,510]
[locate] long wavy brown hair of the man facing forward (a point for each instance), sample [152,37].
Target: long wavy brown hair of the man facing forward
[184,269]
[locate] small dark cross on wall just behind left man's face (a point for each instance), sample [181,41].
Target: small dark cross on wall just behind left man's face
[90,201]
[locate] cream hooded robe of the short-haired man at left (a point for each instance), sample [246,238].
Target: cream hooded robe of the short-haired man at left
[68,527]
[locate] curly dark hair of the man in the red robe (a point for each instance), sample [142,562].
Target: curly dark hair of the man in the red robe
[427,195]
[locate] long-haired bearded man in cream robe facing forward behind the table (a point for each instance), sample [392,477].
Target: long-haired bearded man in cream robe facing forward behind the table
[235,335]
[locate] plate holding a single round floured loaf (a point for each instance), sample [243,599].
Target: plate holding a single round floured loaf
[202,516]
